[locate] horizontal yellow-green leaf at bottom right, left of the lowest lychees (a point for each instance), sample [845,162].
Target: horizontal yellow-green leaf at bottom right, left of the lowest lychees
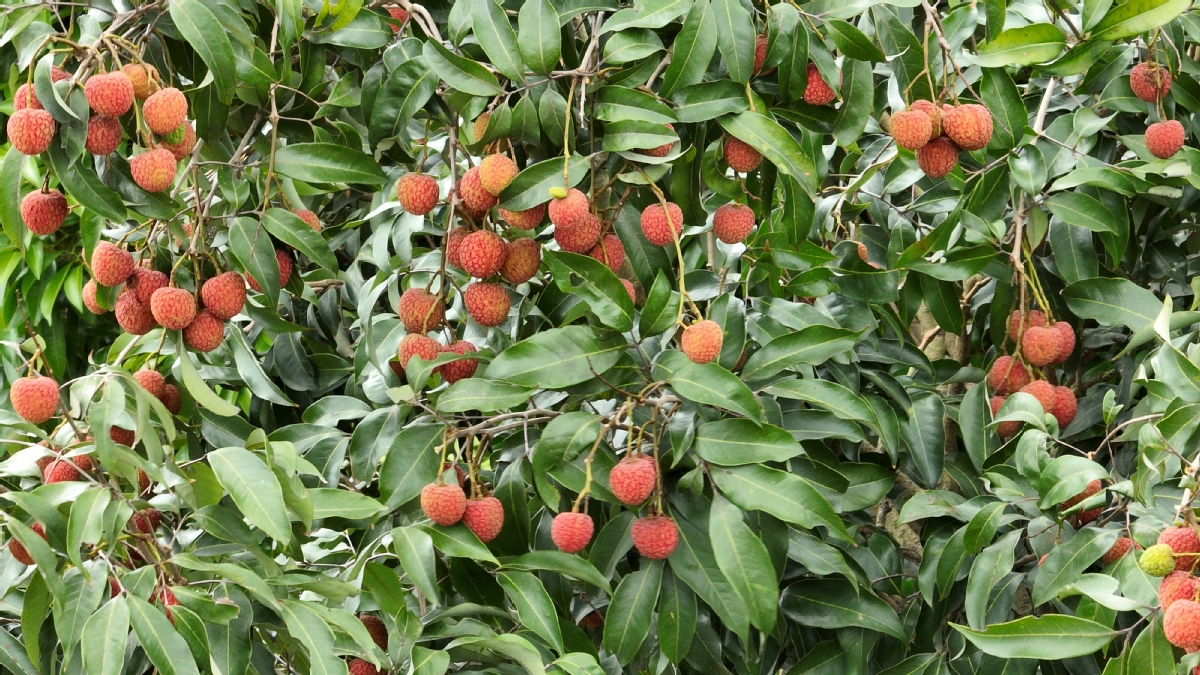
[1053,637]
